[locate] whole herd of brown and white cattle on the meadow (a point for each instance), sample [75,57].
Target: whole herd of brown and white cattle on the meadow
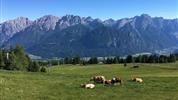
[102,80]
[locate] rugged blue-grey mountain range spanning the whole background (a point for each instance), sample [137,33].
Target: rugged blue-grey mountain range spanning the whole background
[52,36]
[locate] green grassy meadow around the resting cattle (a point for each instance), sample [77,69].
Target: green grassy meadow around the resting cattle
[62,83]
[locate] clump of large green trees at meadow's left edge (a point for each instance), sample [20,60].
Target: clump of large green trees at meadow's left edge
[16,59]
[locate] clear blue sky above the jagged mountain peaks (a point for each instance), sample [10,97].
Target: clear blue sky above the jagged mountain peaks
[103,9]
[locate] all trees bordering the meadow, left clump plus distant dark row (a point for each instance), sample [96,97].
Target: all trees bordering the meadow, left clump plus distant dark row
[16,59]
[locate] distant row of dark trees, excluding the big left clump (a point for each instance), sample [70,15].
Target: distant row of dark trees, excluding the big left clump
[114,60]
